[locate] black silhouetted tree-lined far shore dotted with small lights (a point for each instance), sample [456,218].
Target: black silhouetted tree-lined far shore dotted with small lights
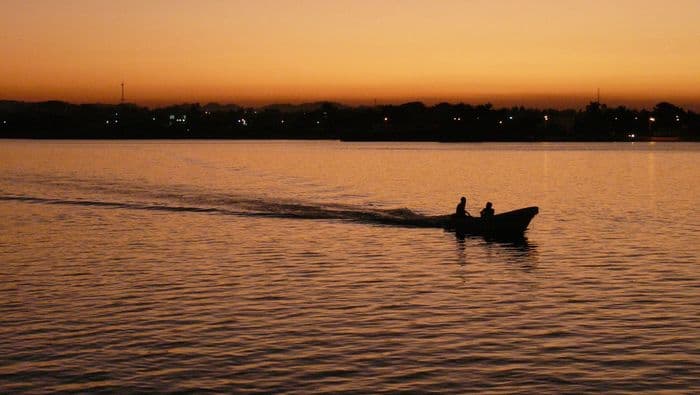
[406,122]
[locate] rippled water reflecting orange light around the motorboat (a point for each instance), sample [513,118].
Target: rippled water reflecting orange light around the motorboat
[239,266]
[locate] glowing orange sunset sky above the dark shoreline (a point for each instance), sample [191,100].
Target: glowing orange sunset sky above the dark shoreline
[254,52]
